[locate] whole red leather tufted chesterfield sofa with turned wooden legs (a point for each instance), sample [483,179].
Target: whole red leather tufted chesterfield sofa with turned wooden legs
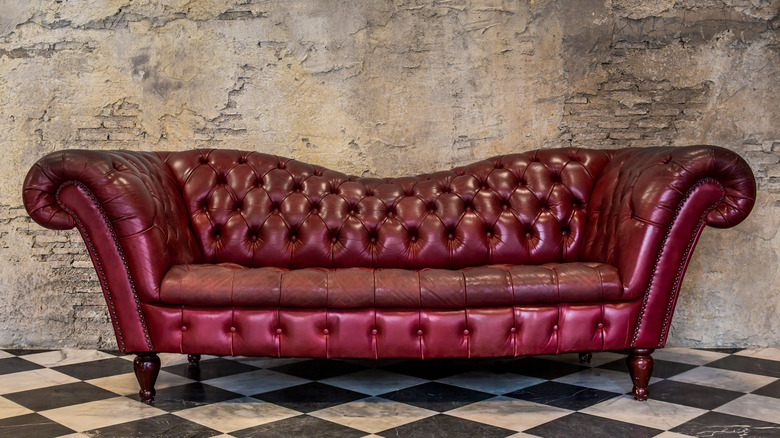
[242,253]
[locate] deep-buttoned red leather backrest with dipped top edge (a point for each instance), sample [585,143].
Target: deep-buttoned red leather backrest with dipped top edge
[257,210]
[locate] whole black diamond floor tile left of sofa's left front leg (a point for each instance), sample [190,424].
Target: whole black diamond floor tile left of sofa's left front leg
[58,396]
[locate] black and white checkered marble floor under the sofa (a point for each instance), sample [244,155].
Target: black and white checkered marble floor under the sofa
[88,393]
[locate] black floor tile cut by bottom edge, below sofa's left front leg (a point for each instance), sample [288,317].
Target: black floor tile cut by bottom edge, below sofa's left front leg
[168,426]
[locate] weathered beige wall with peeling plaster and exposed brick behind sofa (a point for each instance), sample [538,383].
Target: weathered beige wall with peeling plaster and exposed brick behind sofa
[387,88]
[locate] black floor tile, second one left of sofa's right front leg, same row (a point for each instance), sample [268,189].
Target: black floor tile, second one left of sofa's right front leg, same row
[437,396]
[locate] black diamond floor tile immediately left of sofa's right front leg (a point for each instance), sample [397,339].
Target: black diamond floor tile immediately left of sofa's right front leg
[562,395]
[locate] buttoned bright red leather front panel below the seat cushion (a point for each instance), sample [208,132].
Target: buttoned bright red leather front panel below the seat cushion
[388,333]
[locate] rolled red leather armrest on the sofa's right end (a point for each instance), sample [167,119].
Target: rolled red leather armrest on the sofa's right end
[645,216]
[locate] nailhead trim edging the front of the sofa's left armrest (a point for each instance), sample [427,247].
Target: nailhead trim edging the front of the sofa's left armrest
[96,260]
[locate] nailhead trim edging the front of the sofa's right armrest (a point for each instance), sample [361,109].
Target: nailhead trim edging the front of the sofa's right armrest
[678,276]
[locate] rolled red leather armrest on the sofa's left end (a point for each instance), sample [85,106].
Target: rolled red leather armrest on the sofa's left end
[118,200]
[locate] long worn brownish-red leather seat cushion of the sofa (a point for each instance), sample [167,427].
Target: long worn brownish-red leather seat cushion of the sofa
[229,284]
